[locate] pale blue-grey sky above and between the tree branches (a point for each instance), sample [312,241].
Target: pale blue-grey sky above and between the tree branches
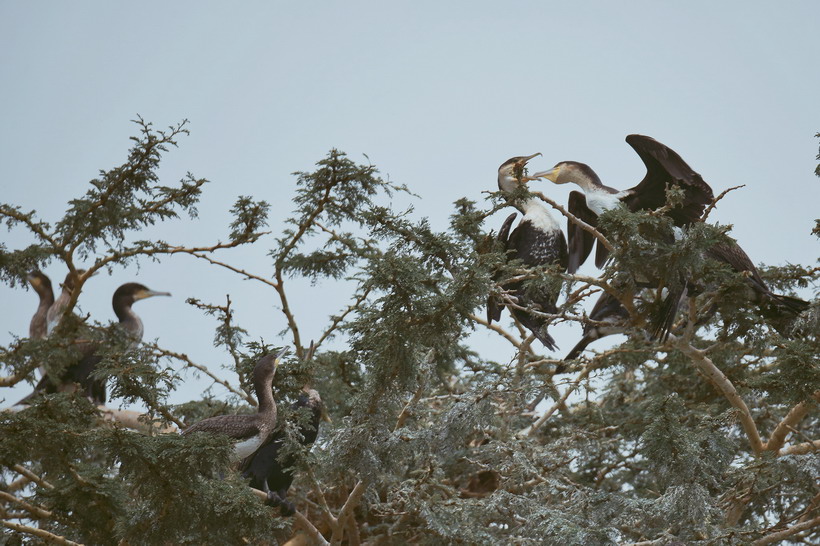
[437,95]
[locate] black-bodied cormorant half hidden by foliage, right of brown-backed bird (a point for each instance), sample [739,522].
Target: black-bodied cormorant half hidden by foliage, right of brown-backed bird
[272,471]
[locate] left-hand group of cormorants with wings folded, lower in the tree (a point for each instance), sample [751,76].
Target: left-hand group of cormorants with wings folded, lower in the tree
[257,439]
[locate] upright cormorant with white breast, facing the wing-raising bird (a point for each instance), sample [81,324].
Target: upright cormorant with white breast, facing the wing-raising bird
[536,241]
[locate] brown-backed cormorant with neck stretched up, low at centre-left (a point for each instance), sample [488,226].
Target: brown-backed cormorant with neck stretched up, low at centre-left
[248,431]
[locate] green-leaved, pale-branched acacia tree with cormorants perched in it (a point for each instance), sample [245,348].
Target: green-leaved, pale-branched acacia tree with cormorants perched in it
[709,437]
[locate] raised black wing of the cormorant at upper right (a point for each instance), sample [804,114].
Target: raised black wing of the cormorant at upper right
[665,167]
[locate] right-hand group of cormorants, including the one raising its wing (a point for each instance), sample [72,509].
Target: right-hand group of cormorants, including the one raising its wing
[539,241]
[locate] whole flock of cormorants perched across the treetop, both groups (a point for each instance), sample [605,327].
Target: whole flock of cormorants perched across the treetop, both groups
[537,241]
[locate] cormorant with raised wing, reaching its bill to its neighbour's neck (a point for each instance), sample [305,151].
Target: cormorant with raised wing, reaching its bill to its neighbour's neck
[664,167]
